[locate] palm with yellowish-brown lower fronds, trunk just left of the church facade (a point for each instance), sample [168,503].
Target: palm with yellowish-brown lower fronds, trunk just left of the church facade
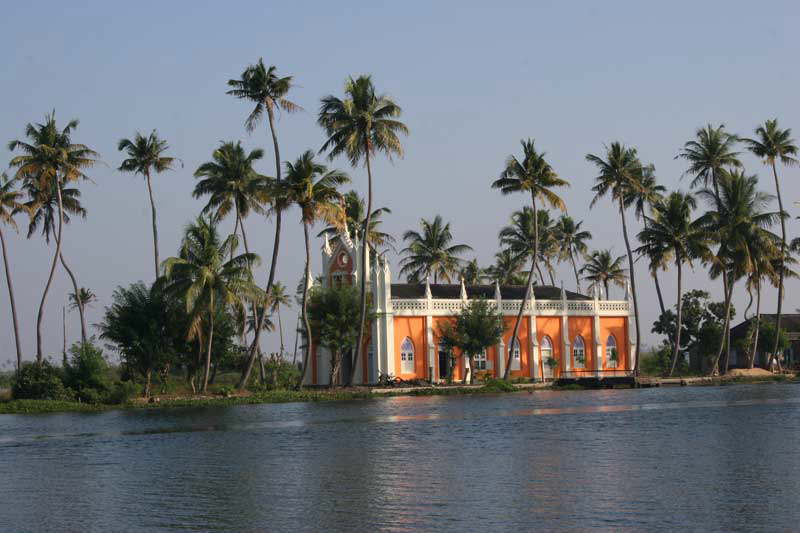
[314,189]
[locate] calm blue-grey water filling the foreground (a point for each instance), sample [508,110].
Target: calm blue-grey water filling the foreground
[709,458]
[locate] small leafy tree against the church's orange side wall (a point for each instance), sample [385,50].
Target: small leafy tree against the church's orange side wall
[478,327]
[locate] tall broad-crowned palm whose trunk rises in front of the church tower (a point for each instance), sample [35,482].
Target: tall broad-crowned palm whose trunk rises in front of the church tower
[358,126]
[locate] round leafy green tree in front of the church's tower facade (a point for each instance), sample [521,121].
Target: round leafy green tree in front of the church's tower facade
[333,314]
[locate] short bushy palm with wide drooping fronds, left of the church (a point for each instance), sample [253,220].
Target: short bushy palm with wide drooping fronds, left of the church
[202,277]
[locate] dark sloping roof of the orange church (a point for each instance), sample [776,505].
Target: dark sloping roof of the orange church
[453,291]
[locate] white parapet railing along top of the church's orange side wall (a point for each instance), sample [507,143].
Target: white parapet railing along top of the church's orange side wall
[449,307]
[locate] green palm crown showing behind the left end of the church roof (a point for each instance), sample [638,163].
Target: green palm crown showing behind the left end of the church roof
[431,253]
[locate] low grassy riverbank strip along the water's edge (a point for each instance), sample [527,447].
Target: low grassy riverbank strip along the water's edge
[9,406]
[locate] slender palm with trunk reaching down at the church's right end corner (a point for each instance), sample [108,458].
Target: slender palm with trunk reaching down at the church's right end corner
[619,175]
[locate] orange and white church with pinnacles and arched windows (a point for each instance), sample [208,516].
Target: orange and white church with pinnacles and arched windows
[562,332]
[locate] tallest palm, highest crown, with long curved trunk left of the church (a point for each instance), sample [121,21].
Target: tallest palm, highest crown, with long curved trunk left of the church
[262,86]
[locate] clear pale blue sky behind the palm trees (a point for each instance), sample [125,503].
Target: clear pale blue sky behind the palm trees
[473,79]
